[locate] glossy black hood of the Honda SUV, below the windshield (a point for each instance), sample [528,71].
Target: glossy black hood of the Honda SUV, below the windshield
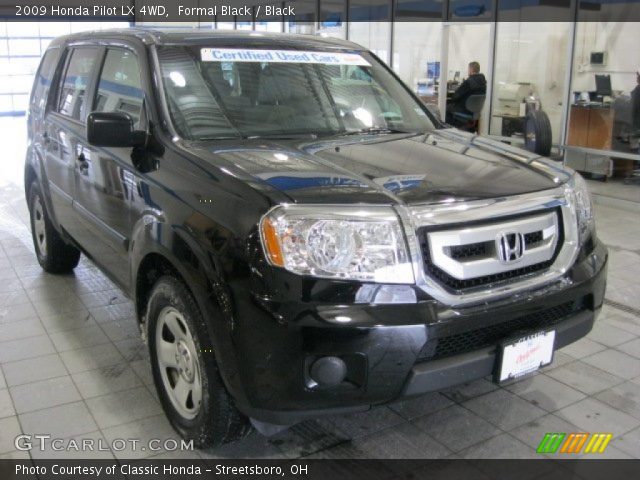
[442,166]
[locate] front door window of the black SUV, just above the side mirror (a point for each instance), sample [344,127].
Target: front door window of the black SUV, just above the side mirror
[120,87]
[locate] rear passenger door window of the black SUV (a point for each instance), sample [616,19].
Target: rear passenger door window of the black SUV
[76,78]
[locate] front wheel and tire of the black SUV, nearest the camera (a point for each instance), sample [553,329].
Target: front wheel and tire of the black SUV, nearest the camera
[185,371]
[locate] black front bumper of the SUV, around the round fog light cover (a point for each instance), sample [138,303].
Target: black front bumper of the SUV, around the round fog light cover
[387,347]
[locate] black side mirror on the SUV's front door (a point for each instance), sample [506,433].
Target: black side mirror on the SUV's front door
[113,129]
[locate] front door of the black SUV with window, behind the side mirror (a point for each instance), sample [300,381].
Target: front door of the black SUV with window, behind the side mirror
[106,176]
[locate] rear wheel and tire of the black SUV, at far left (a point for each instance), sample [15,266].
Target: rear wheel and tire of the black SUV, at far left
[53,253]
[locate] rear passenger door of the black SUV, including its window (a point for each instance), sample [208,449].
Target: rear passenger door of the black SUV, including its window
[63,126]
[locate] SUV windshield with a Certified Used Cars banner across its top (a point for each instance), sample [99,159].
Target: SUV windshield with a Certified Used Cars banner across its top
[215,93]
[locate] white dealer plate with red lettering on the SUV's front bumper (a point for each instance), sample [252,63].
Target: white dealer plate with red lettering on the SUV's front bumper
[526,355]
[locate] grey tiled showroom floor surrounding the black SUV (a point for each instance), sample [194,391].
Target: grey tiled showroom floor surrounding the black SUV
[72,365]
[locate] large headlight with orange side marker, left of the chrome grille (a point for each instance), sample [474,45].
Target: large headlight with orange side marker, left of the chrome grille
[342,242]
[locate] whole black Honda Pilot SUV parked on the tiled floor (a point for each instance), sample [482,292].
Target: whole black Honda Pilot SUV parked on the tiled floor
[299,234]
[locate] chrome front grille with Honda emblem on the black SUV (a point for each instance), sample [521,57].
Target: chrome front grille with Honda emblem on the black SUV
[509,280]
